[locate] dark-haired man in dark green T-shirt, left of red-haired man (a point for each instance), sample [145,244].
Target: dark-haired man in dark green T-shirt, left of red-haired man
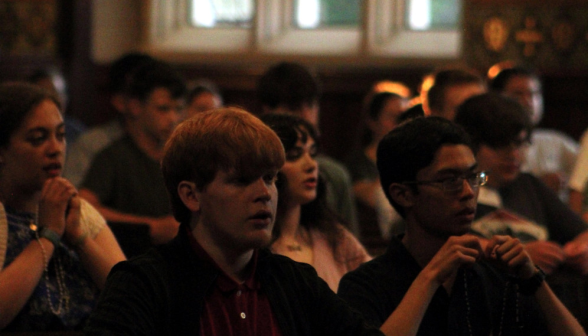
[124,181]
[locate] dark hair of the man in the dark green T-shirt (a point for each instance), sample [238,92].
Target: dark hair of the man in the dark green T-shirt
[149,76]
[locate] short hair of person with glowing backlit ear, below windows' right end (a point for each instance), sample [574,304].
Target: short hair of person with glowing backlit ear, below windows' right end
[448,78]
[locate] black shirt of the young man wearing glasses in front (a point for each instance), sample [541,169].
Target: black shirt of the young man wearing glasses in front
[481,298]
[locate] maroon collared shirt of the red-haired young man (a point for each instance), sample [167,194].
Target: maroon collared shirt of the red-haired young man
[231,308]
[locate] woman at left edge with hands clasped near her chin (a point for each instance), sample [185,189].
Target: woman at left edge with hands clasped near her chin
[55,249]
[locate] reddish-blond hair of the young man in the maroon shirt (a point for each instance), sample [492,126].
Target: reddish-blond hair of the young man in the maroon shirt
[224,139]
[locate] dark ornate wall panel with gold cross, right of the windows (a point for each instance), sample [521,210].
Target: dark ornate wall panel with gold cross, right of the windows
[533,32]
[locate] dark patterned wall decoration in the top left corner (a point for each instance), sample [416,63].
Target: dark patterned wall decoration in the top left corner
[27,27]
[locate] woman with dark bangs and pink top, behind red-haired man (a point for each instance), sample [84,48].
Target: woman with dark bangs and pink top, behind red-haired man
[306,230]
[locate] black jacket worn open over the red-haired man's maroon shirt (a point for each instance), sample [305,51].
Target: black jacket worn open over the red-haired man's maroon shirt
[163,292]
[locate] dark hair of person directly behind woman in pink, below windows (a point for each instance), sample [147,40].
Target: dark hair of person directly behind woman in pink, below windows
[288,84]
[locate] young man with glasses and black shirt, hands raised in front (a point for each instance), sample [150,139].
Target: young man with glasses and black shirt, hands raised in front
[436,279]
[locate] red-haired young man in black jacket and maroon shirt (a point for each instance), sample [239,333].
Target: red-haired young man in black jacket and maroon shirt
[215,277]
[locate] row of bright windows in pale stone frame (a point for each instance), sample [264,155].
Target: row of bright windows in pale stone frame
[345,31]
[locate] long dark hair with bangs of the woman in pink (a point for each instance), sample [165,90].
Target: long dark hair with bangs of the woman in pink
[315,214]
